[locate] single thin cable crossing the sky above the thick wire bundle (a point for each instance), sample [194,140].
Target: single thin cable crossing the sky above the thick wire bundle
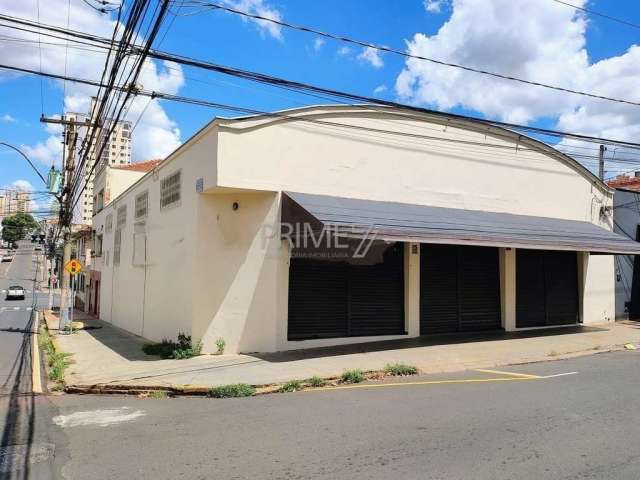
[382,48]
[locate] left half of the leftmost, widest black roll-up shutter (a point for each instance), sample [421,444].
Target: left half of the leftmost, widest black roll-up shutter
[317,299]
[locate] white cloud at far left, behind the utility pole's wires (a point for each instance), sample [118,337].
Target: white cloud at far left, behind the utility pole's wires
[156,134]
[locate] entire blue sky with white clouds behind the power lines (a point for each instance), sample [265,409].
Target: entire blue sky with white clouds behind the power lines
[540,40]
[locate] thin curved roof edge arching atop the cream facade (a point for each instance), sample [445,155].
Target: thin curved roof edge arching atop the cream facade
[315,111]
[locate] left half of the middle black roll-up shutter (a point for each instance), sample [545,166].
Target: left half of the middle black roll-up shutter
[438,289]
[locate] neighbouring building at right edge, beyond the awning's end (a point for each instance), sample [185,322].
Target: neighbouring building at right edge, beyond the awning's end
[626,206]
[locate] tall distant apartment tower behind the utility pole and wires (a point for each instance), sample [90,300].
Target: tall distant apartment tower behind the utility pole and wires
[116,151]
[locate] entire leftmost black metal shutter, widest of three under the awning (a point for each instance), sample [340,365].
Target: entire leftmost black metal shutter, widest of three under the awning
[336,299]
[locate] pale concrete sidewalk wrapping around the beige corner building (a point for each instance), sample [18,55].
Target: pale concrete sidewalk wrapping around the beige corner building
[106,355]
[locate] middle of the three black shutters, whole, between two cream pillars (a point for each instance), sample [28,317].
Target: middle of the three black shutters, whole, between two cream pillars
[459,289]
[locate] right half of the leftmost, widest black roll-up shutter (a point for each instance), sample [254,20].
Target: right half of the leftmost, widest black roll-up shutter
[376,293]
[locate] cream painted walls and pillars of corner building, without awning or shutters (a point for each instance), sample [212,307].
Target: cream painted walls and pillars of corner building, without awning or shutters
[213,267]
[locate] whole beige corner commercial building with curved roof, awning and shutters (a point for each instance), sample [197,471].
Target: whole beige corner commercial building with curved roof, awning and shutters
[341,224]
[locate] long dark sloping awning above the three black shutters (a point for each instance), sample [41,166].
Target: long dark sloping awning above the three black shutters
[404,222]
